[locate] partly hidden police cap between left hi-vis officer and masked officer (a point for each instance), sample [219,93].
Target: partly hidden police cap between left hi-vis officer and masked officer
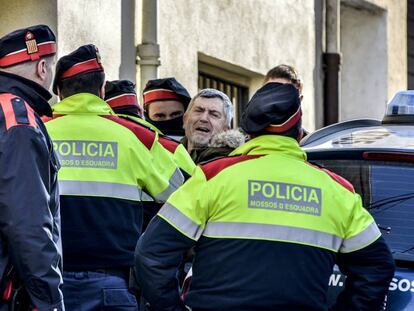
[120,93]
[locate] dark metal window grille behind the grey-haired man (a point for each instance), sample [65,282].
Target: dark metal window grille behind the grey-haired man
[238,94]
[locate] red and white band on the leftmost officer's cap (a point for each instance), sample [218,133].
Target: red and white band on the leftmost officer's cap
[44,48]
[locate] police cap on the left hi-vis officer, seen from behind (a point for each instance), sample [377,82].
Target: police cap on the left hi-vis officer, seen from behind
[83,60]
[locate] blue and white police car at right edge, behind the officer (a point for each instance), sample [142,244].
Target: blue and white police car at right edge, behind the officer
[377,157]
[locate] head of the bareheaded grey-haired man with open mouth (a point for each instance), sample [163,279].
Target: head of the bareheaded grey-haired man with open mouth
[209,113]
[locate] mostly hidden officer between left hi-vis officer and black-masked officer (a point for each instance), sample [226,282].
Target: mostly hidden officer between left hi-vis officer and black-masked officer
[121,96]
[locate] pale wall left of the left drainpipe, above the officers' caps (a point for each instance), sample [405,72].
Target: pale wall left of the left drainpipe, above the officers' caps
[75,23]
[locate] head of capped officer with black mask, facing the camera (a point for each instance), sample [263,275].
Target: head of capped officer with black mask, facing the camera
[165,101]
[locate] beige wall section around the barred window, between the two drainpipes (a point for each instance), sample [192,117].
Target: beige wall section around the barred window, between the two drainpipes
[253,34]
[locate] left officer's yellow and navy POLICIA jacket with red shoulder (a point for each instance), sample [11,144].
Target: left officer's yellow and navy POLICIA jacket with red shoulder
[109,167]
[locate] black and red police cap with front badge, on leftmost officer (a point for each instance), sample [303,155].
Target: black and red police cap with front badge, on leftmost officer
[27,44]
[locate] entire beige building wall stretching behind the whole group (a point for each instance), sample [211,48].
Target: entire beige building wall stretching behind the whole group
[247,37]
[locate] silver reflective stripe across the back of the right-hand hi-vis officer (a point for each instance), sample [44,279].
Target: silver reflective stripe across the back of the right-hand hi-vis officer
[273,232]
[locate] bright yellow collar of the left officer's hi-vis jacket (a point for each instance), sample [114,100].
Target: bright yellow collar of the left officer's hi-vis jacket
[82,103]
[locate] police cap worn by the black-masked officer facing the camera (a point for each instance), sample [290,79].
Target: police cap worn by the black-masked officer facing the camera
[165,89]
